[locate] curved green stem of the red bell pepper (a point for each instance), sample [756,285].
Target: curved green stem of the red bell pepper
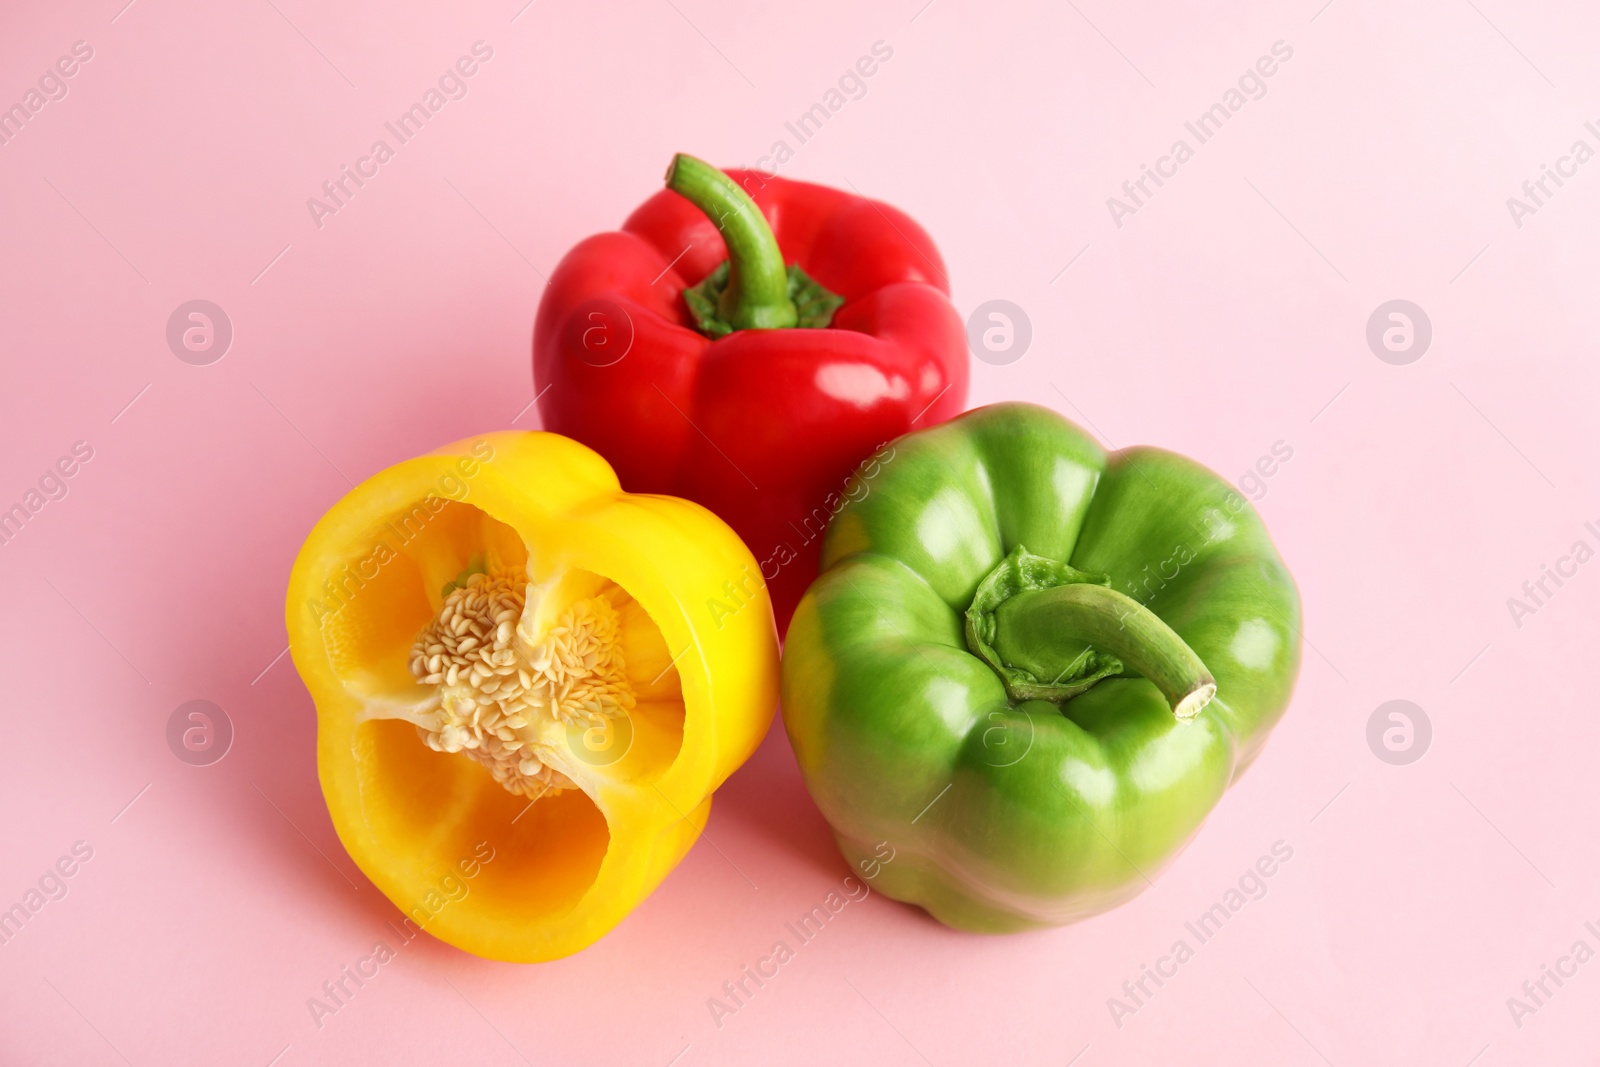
[758,295]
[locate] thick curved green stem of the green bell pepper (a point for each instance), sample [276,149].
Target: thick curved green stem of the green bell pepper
[1030,623]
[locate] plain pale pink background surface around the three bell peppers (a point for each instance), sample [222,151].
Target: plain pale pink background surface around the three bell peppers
[1226,316]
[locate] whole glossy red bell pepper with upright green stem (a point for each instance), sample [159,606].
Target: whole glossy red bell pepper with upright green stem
[762,425]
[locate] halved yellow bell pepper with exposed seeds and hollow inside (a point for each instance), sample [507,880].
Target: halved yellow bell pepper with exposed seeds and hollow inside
[527,684]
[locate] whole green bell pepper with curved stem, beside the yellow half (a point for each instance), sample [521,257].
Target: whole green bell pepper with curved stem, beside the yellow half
[1010,812]
